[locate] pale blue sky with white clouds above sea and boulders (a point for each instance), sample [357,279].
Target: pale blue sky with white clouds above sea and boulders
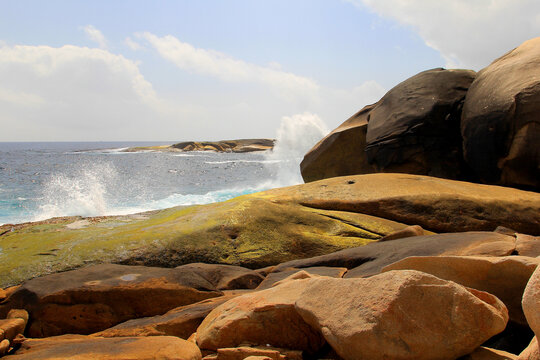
[138,70]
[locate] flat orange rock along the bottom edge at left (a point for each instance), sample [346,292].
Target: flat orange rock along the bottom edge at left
[90,348]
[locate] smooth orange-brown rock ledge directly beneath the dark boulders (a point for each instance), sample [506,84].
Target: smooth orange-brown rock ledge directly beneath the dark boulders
[436,204]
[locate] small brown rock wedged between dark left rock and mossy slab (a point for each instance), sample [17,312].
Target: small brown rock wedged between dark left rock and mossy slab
[226,277]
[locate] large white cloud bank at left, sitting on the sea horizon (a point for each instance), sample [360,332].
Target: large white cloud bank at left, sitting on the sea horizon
[74,93]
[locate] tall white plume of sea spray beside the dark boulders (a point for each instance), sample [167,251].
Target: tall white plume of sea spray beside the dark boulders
[295,136]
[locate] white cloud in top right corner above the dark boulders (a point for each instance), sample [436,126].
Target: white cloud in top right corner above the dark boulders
[467,33]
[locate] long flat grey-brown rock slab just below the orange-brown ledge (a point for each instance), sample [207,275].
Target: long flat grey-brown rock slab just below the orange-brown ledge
[370,259]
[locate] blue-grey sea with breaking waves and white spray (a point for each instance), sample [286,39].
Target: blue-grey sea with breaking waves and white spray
[43,180]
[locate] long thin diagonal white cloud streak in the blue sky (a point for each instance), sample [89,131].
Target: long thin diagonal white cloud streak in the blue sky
[224,67]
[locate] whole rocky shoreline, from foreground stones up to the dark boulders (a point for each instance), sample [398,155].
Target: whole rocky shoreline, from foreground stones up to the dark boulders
[392,261]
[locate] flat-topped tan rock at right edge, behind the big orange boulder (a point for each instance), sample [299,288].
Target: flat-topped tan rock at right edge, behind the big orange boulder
[504,277]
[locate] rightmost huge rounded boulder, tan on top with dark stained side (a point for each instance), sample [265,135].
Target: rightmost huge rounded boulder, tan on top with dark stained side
[500,125]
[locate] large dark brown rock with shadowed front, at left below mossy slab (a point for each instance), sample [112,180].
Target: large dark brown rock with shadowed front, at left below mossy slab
[97,297]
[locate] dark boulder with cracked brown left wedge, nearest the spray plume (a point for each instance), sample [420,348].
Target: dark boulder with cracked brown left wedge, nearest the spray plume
[414,128]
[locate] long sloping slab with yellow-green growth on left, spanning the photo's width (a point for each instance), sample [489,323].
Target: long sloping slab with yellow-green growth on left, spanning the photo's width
[270,227]
